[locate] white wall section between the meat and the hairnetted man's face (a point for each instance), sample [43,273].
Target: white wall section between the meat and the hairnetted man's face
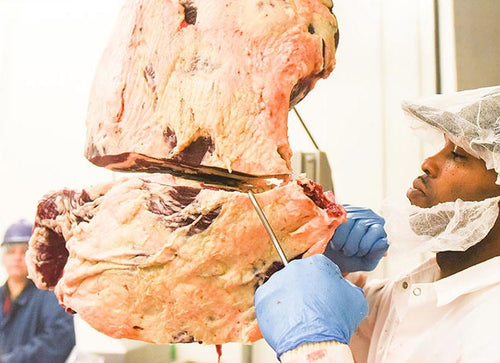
[386,54]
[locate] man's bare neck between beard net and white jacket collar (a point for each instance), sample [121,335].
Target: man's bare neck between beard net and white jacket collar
[451,262]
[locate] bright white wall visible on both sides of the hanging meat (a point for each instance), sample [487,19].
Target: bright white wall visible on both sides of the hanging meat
[48,54]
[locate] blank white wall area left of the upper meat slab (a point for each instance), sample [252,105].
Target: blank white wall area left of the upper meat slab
[49,50]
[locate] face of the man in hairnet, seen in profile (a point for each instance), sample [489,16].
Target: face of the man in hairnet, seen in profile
[451,174]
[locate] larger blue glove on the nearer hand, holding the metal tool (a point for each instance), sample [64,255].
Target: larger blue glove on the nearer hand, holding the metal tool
[308,301]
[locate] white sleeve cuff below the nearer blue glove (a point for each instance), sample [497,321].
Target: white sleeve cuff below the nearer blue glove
[323,352]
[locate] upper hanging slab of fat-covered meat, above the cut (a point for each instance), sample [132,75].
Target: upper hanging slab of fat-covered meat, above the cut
[204,86]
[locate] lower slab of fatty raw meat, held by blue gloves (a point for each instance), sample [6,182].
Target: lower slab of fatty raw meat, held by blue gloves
[166,263]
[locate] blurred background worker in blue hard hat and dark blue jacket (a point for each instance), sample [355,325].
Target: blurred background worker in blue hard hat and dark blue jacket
[33,326]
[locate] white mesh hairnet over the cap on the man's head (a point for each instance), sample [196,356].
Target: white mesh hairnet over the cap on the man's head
[470,119]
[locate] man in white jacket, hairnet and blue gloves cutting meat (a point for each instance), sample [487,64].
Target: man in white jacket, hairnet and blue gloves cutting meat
[445,310]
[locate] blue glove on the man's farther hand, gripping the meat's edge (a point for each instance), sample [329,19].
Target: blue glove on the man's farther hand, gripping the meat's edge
[360,242]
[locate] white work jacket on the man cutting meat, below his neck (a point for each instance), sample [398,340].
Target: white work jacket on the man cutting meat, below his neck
[419,319]
